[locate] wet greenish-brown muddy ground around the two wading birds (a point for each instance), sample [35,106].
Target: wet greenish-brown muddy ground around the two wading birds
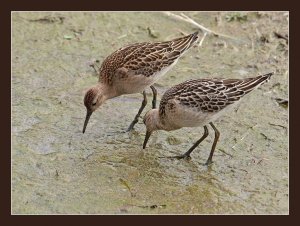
[58,170]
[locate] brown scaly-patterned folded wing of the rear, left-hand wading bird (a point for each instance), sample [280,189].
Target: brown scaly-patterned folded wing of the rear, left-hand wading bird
[145,58]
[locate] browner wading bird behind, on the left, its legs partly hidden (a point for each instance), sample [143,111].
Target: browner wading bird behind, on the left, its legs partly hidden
[132,68]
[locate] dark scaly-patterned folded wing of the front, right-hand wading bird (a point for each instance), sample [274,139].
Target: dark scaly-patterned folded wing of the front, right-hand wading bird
[212,95]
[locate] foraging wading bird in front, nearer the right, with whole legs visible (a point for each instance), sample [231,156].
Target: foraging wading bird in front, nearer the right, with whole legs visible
[196,103]
